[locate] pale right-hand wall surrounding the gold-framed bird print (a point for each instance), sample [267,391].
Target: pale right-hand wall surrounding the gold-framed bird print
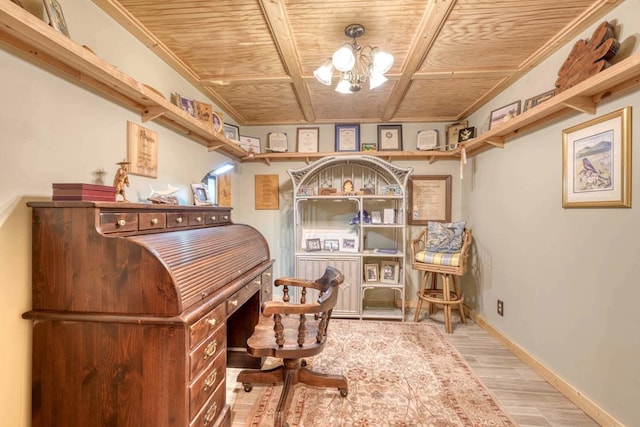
[567,277]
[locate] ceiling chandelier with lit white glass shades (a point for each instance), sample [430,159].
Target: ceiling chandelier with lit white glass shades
[356,64]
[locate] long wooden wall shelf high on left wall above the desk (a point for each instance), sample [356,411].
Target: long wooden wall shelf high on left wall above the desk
[37,40]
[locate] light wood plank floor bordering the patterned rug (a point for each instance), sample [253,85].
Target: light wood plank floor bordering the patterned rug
[529,399]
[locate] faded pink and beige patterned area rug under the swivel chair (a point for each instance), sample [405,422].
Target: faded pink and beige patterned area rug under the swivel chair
[400,374]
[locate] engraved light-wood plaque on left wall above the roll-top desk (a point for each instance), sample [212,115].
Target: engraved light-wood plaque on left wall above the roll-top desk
[142,150]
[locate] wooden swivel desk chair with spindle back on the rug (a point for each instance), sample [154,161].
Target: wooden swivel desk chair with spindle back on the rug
[292,331]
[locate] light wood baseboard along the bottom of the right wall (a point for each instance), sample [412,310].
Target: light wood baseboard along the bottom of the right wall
[598,414]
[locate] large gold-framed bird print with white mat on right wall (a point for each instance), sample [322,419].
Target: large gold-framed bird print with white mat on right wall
[596,162]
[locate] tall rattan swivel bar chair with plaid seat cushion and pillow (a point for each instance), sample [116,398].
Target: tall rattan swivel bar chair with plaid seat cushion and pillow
[448,266]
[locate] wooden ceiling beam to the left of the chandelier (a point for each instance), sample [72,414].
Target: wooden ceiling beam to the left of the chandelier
[278,22]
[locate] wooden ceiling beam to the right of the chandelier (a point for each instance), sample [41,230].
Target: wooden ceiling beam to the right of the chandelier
[432,22]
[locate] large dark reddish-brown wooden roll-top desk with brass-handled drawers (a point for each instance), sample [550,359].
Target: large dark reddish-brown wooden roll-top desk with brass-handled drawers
[133,307]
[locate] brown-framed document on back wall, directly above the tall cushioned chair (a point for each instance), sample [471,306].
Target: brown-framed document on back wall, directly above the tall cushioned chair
[429,199]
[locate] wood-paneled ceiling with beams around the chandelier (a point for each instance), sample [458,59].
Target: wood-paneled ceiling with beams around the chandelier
[255,58]
